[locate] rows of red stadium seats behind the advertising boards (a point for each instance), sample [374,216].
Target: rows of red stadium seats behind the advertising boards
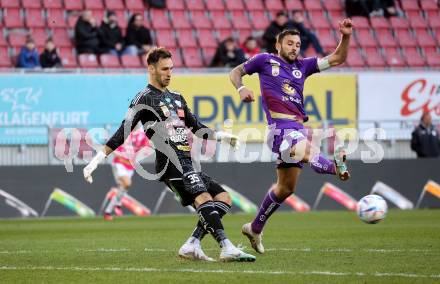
[197,26]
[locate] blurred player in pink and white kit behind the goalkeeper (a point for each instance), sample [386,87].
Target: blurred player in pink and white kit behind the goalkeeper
[123,169]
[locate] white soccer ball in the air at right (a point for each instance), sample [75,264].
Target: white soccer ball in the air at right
[372,209]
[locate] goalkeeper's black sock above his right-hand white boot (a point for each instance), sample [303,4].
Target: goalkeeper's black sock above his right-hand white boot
[210,219]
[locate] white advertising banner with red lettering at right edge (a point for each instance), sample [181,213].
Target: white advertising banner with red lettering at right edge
[398,96]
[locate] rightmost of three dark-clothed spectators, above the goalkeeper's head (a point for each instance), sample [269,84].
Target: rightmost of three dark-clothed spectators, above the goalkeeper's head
[138,38]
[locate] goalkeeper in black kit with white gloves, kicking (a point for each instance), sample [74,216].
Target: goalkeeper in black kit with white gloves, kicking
[167,121]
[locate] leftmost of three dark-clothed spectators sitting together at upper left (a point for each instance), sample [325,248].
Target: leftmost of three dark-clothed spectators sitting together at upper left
[86,34]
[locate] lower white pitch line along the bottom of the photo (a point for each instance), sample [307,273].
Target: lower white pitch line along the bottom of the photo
[219,271]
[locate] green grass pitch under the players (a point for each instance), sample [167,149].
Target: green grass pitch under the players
[317,247]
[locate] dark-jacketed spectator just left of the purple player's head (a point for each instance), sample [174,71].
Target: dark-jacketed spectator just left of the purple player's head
[228,54]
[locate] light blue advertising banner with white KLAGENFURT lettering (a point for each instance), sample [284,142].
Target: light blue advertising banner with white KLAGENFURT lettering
[30,103]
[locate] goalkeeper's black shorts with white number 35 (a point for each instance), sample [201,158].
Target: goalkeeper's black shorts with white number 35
[191,184]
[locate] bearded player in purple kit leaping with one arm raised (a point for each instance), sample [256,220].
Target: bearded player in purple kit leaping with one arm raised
[282,79]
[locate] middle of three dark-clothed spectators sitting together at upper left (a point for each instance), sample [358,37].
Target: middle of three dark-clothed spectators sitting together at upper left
[110,35]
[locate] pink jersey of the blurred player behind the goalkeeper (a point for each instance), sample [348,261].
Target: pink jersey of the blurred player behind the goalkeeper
[126,153]
